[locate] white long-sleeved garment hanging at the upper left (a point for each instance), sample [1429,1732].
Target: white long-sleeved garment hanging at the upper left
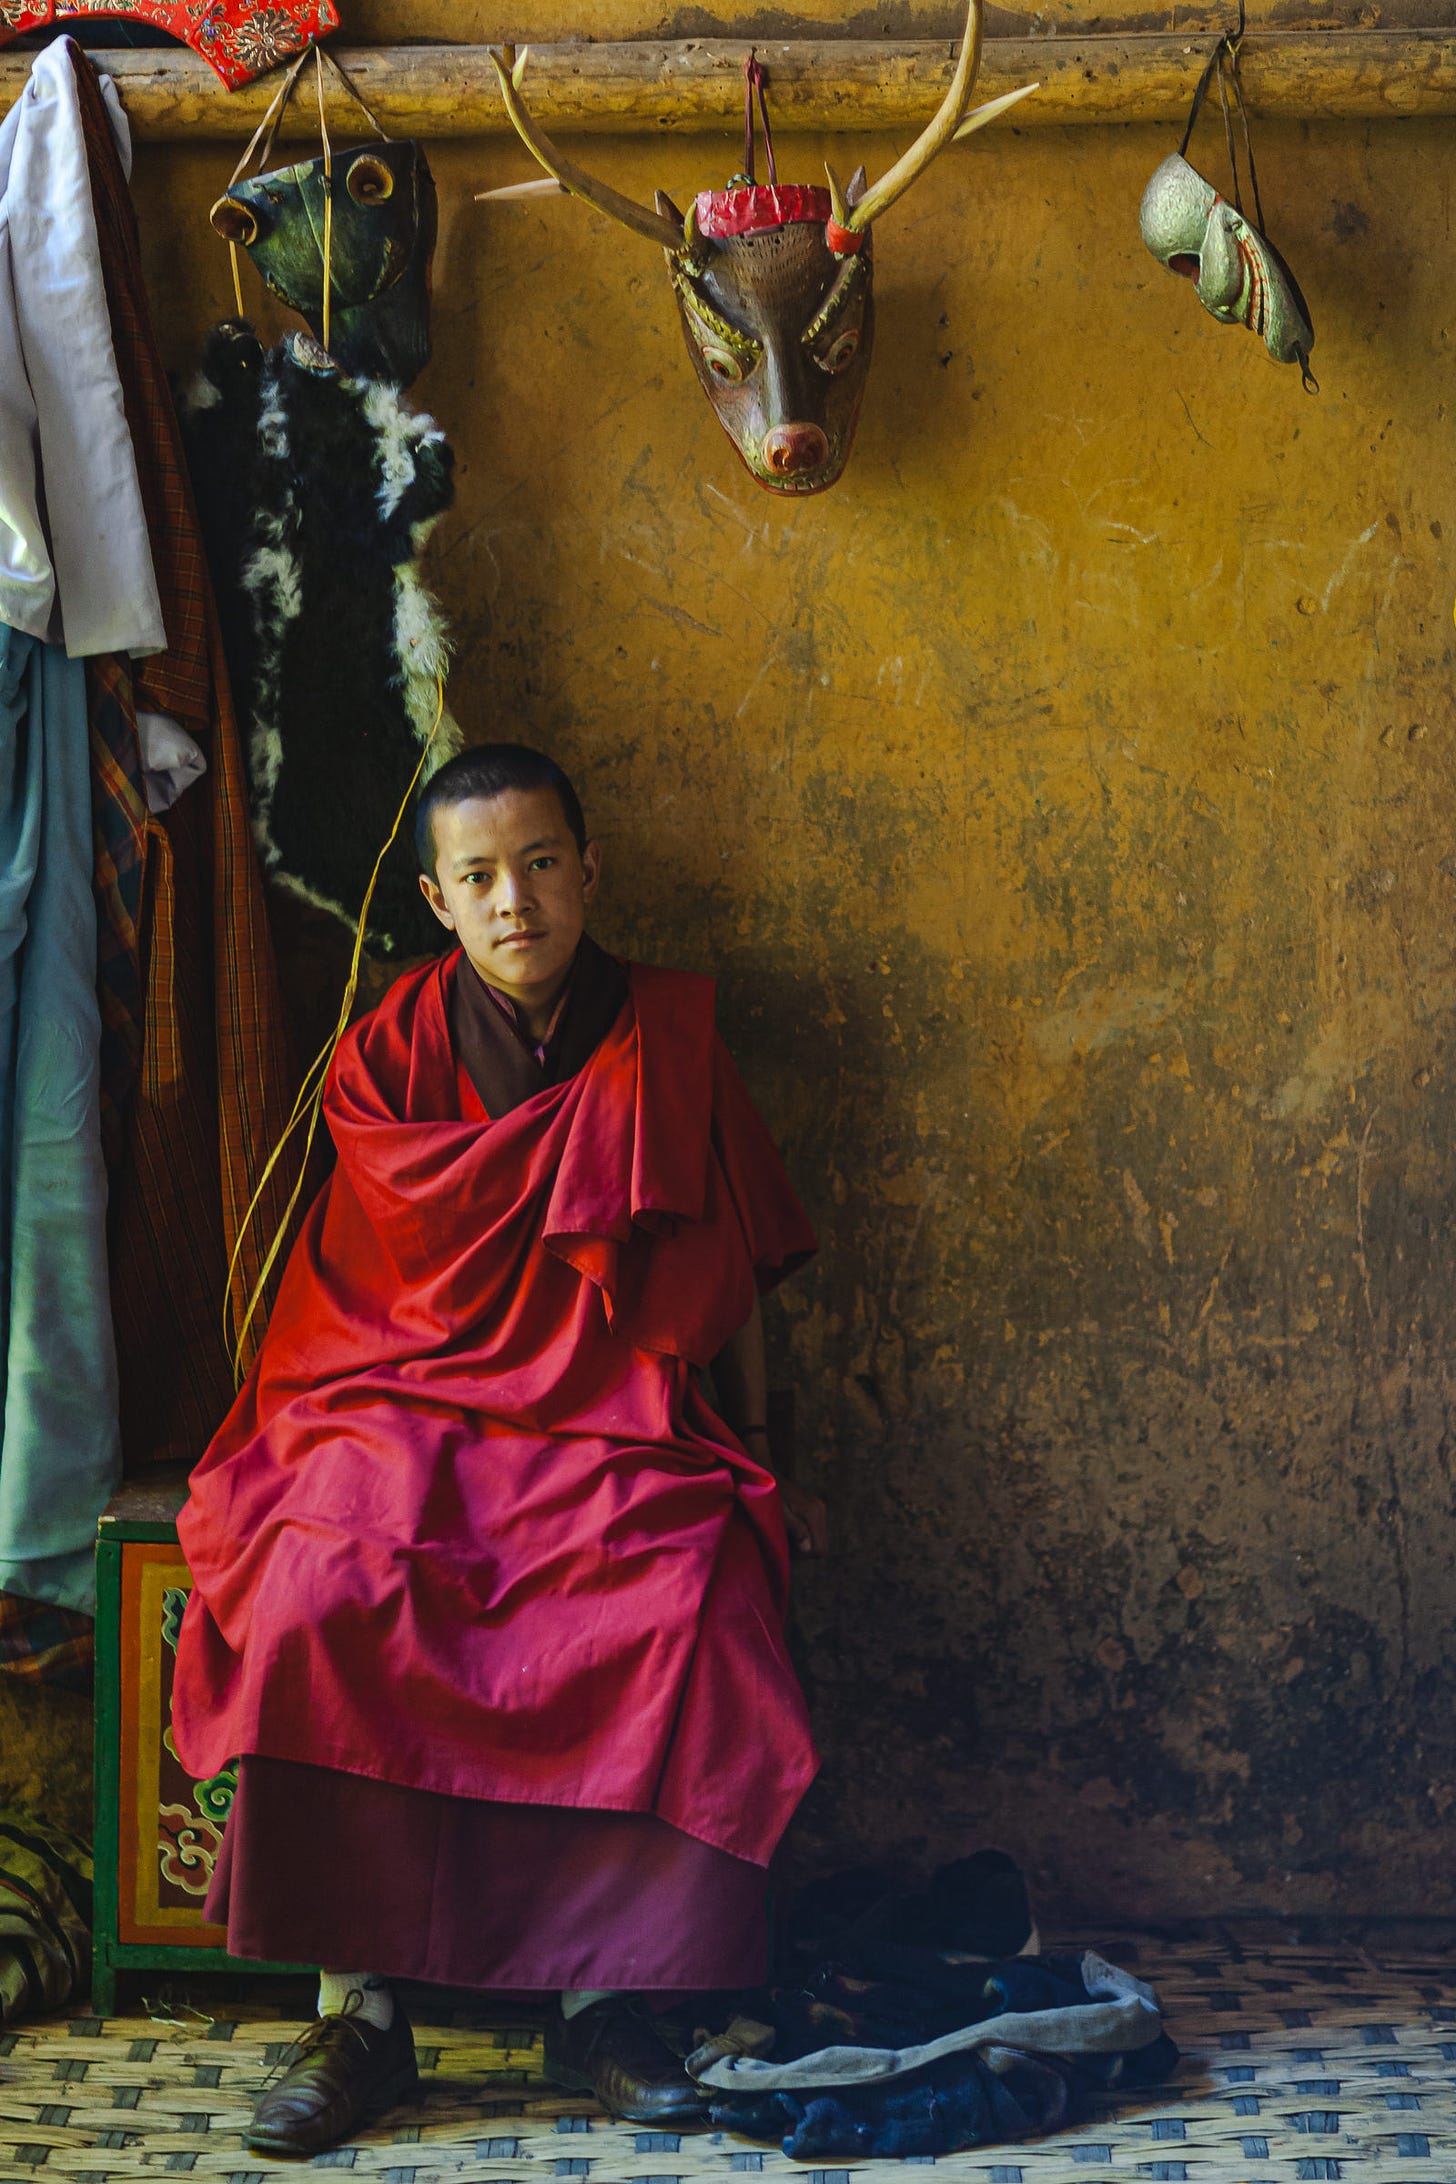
[75,558]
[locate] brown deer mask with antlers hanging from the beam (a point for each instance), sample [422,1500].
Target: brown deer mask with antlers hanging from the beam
[772,281]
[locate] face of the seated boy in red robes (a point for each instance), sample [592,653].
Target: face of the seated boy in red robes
[512,883]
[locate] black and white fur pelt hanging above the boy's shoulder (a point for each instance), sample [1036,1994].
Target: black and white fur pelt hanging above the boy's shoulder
[318,495]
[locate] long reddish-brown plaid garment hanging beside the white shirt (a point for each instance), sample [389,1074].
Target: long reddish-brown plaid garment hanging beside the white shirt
[213,1091]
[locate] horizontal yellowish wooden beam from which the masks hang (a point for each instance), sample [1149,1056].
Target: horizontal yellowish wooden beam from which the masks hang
[844,86]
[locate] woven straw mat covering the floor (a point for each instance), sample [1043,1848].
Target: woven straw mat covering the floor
[1298,2063]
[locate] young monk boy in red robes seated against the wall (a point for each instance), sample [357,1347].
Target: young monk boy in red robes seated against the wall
[488,1591]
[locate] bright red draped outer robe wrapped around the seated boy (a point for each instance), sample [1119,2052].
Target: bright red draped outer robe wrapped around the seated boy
[473,1526]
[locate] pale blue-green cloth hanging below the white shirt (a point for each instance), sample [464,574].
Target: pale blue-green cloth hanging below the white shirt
[60,1440]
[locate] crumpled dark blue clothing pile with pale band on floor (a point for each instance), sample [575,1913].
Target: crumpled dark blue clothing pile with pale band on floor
[924,2021]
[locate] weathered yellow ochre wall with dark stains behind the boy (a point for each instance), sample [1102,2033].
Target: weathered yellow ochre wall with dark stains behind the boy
[1066,809]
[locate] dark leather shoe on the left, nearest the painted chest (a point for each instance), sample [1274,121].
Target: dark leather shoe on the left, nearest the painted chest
[342,2072]
